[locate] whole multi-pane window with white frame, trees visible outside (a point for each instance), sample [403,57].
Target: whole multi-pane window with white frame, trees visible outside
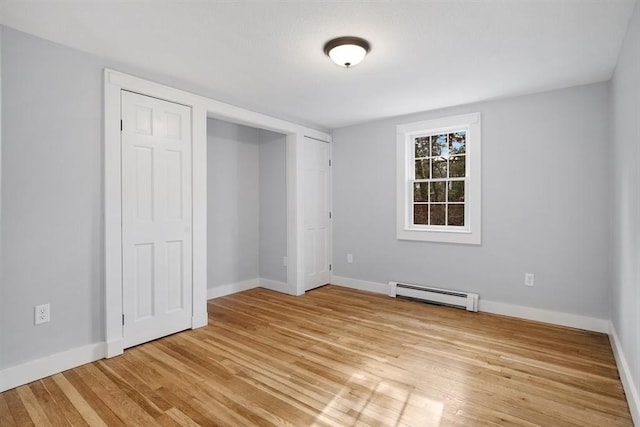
[439,180]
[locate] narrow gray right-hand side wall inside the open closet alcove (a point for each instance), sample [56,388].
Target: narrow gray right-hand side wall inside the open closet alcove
[273,206]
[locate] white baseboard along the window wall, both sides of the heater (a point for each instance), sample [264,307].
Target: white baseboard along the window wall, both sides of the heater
[522,312]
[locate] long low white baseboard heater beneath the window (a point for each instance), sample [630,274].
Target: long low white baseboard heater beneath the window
[466,300]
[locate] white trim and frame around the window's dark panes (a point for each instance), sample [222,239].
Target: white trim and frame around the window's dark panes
[471,233]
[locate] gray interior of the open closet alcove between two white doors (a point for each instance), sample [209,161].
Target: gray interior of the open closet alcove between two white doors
[247,224]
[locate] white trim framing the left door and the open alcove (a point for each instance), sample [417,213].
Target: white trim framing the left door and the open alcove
[202,107]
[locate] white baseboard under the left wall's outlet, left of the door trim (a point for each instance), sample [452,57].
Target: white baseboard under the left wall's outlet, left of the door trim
[40,368]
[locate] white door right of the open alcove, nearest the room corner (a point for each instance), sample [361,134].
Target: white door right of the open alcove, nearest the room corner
[317,213]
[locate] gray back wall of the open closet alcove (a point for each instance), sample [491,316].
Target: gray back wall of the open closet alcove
[232,203]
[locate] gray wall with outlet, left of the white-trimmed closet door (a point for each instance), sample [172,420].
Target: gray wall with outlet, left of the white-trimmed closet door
[52,198]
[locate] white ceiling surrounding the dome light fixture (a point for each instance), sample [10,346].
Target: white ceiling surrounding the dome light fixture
[267,55]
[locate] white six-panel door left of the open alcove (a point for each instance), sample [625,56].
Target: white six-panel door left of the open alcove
[156,218]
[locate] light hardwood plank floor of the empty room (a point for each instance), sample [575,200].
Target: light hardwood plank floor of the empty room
[339,357]
